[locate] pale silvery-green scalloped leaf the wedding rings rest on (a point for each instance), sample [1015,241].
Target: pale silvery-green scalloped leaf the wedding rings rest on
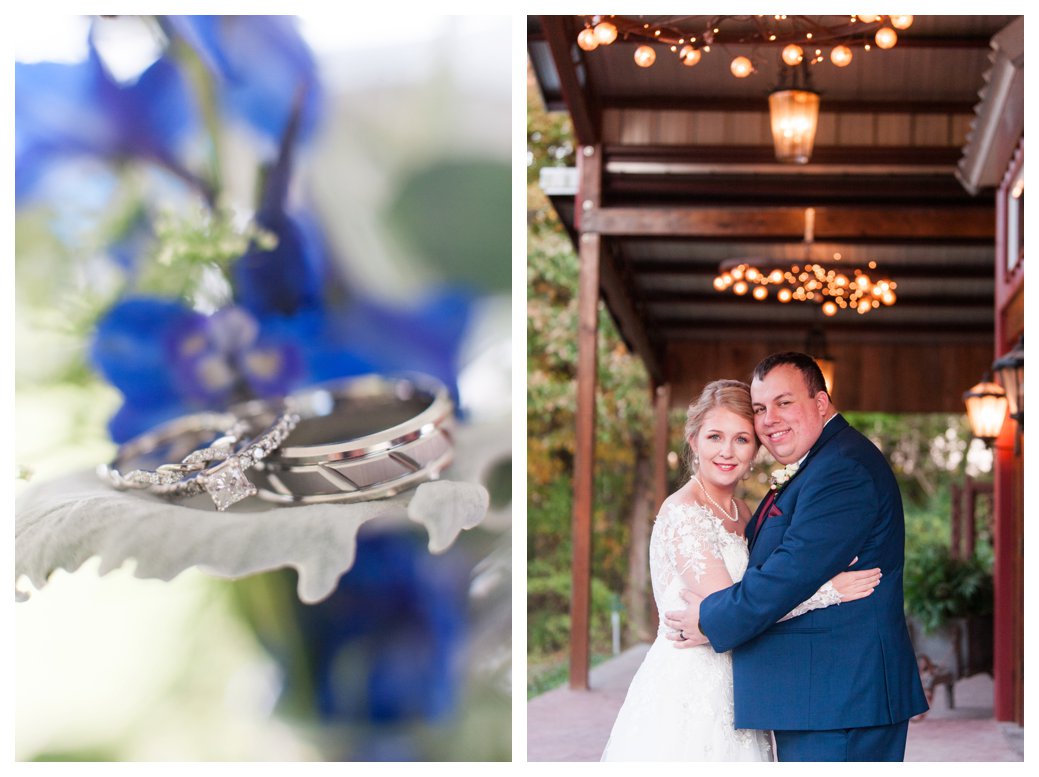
[63,523]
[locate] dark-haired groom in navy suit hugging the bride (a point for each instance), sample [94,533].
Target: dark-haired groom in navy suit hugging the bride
[837,684]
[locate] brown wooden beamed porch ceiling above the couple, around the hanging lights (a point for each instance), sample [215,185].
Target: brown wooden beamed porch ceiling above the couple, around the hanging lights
[689,181]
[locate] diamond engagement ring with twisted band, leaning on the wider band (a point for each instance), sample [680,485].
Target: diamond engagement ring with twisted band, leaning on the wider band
[215,451]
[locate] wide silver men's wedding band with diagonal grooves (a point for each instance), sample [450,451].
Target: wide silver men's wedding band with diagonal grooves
[361,439]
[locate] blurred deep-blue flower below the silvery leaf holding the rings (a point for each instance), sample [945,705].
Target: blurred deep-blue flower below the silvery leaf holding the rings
[388,642]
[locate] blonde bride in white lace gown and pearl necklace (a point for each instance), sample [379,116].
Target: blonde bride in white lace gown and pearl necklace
[680,704]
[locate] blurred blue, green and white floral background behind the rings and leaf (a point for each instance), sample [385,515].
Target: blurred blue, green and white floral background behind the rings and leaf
[216,208]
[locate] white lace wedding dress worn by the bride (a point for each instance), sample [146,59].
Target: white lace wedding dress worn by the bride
[680,704]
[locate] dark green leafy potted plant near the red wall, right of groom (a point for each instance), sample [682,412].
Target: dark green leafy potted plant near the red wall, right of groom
[939,587]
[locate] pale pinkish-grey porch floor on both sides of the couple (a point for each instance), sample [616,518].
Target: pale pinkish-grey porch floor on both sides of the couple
[565,726]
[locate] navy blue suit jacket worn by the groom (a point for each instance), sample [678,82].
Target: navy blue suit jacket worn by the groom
[845,666]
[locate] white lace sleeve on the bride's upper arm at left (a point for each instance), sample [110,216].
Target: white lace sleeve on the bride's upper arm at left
[691,543]
